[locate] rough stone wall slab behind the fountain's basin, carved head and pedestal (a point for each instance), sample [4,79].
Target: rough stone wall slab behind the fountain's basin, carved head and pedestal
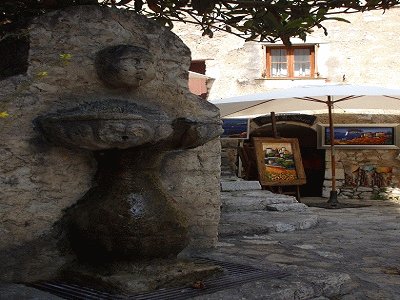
[38,181]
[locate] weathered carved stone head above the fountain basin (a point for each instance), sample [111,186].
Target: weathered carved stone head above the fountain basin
[125,66]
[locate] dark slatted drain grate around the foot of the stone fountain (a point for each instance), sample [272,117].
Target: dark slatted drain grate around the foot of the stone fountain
[234,275]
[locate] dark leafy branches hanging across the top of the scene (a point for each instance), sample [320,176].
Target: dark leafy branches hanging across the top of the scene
[262,20]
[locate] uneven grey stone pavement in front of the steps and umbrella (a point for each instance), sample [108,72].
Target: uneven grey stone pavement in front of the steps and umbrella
[352,253]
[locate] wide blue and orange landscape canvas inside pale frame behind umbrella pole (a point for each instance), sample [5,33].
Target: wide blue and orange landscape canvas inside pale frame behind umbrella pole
[360,135]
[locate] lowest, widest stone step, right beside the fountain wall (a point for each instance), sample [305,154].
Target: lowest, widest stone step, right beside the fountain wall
[264,222]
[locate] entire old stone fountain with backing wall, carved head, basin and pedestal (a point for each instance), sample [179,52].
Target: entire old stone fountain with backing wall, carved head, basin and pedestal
[109,157]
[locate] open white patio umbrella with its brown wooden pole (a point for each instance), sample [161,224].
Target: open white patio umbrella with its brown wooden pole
[313,98]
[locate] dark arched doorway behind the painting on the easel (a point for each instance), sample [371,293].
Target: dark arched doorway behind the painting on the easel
[313,158]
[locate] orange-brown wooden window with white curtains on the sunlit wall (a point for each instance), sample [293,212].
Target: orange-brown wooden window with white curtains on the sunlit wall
[290,62]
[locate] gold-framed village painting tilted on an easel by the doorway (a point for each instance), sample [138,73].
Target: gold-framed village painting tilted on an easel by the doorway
[279,161]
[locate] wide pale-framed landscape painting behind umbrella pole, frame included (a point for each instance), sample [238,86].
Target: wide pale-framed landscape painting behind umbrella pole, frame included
[359,136]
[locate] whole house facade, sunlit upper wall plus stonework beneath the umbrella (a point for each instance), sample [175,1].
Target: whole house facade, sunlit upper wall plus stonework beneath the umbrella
[360,52]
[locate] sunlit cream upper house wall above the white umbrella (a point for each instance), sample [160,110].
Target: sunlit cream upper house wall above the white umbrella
[360,52]
